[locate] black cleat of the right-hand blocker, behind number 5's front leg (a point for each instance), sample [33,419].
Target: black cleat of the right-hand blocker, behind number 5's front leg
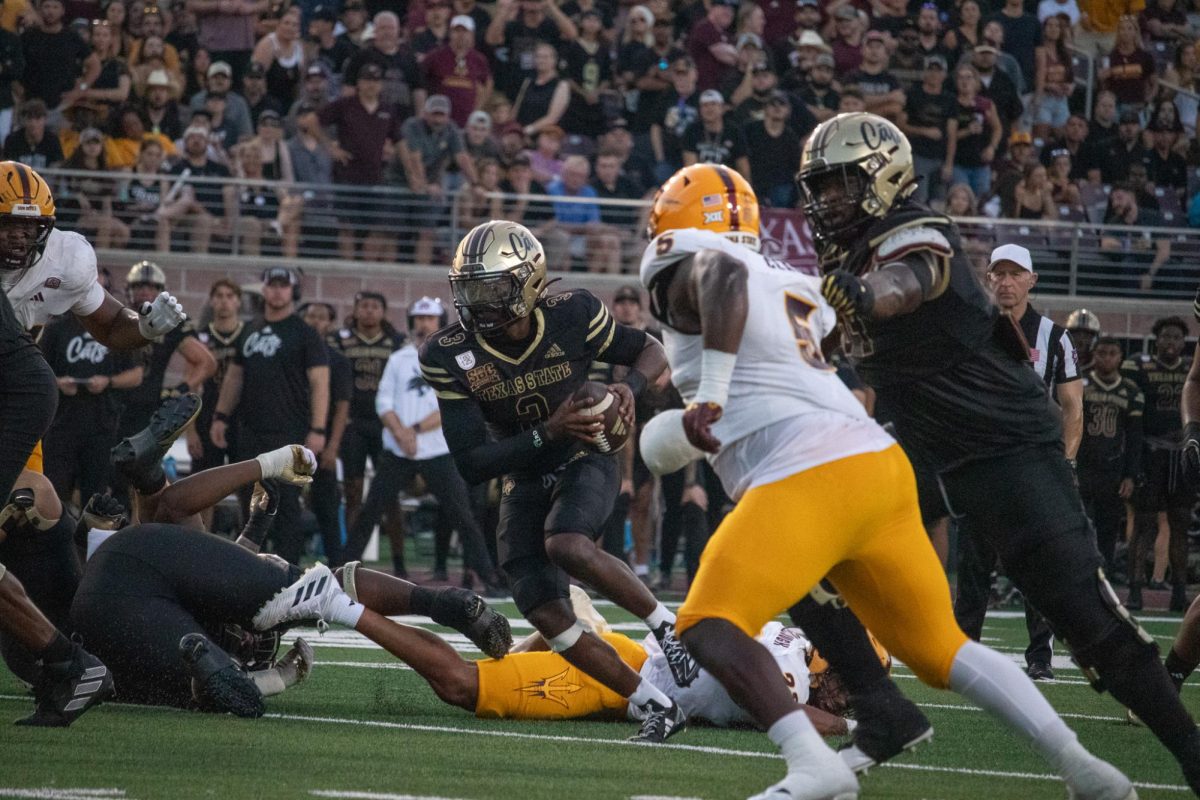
[889,725]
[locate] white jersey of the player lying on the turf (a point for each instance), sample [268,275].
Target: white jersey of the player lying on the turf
[707,700]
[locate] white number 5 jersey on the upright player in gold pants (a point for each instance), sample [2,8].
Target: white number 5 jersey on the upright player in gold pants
[788,411]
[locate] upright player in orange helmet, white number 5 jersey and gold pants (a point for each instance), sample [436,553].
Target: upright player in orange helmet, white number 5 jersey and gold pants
[821,490]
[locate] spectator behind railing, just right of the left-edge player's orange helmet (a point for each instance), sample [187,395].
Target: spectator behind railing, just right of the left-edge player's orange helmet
[86,204]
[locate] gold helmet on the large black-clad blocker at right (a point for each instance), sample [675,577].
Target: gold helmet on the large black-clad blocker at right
[855,169]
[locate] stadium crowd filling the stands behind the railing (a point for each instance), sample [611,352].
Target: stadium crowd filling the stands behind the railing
[1036,111]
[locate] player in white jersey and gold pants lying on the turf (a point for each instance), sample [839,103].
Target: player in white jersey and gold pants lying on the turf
[535,683]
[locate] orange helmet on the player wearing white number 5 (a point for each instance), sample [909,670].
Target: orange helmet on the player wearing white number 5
[707,197]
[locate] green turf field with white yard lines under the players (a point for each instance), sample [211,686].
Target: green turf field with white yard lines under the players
[365,727]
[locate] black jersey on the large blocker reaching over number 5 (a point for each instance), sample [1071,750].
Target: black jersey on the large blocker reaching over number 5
[941,375]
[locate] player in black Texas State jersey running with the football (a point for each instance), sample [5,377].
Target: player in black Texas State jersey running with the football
[506,376]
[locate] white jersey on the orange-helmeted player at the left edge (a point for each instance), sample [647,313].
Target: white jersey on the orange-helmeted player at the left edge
[63,280]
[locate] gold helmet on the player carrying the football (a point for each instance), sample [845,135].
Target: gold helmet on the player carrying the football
[499,276]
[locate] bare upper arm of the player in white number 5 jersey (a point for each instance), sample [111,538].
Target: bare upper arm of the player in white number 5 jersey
[719,291]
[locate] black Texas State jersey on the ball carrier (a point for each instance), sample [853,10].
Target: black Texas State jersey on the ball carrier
[518,386]
